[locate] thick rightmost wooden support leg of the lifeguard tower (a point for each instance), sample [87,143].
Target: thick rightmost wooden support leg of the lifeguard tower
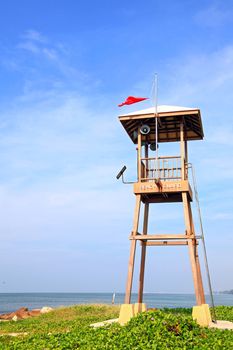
[198,286]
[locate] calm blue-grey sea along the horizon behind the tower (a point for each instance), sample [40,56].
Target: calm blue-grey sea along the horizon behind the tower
[10,302]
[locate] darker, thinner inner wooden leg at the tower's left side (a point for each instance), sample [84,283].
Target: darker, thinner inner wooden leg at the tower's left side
[143,254]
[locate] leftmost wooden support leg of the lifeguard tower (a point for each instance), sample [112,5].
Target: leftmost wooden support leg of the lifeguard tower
[132,251]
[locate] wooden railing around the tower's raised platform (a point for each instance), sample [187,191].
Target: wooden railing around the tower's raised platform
[164,168]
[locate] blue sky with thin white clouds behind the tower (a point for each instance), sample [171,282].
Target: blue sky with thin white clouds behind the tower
[64,67]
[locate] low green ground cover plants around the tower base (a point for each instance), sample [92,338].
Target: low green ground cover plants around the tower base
[69,329]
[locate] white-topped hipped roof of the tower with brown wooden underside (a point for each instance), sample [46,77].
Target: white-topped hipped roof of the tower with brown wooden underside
[169,118]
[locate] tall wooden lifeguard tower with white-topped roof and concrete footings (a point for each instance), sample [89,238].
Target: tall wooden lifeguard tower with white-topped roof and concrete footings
[163,179]
